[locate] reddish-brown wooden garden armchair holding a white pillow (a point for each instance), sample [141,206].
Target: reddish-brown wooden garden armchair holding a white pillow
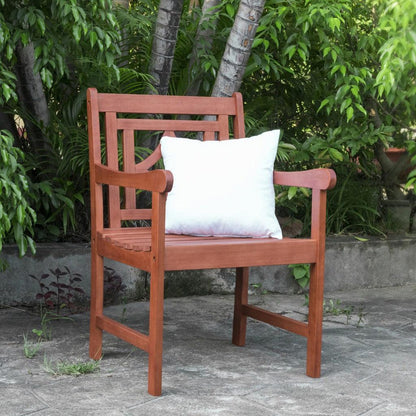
[113,122]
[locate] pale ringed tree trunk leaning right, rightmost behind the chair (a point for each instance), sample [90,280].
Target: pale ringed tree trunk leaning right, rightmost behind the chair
[238,48]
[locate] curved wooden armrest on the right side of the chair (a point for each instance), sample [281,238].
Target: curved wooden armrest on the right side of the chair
[314,178]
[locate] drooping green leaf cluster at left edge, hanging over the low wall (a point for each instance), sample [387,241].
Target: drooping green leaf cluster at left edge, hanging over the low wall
[16,215]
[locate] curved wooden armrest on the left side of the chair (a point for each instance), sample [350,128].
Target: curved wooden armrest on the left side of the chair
[155,180]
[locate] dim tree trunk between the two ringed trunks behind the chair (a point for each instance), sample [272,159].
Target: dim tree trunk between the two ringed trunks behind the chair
[202,43]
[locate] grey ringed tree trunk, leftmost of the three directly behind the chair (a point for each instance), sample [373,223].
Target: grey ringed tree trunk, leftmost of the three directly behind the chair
[164,42]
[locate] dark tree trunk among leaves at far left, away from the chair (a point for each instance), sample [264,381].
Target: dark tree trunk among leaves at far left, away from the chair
[32,98]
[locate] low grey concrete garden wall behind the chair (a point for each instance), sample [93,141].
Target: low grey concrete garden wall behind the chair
[350,264]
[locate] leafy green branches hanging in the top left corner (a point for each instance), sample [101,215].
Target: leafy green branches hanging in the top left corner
[59,30]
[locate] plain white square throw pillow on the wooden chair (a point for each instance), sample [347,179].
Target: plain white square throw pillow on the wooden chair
[222,188]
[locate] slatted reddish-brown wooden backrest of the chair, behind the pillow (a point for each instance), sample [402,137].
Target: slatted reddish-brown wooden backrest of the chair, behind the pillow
[116,127]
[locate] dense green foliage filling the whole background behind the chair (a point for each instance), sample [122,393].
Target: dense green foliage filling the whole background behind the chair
[337,77]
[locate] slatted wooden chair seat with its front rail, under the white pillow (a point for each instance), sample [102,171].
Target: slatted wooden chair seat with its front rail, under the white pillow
[185,252]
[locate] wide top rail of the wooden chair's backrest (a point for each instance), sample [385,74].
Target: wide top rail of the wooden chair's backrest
[152,104]
